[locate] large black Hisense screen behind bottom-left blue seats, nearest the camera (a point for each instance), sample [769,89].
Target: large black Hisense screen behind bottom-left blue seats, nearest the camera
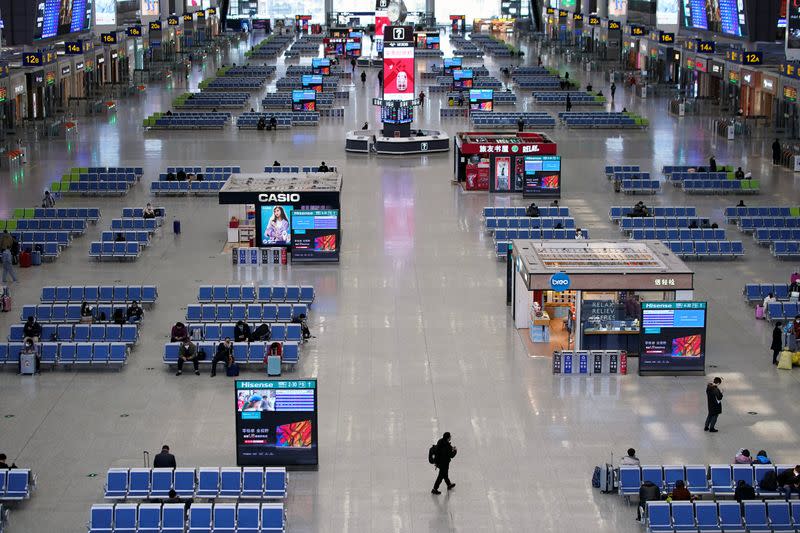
[276,423]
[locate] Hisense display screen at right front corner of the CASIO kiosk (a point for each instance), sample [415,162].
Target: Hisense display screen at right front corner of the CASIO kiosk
[315,235]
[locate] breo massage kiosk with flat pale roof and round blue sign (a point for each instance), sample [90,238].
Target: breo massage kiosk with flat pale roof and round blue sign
[590,293]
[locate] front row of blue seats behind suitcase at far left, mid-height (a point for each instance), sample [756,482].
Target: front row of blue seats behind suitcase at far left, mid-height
[69,353]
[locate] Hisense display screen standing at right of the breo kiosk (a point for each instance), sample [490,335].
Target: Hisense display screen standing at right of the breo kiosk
[673,337]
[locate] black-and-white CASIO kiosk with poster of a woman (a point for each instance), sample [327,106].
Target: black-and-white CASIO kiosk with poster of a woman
[296,212]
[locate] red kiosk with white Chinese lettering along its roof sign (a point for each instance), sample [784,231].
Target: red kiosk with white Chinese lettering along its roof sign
[507,162]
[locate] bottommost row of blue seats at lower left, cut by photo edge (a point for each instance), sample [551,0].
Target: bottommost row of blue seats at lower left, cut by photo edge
[200,518]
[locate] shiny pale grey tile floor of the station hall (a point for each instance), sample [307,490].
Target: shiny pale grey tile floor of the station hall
[413,337]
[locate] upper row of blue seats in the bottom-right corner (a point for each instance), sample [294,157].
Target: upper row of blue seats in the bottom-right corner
[719,480]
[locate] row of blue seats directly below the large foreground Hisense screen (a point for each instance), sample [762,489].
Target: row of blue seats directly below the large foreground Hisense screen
[204,482]
